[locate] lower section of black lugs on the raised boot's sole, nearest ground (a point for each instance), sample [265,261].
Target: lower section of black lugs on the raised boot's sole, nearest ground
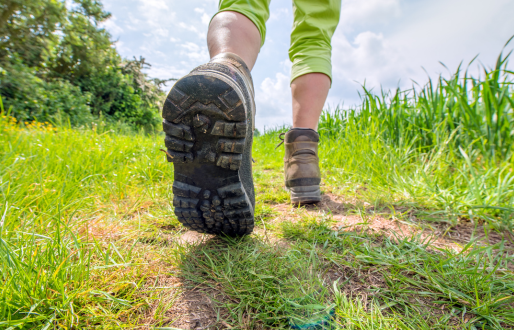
[226,210]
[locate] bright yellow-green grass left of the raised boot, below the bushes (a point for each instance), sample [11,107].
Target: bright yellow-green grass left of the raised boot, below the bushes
[54,183]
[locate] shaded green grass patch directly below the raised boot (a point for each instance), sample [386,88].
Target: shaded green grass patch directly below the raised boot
[259,279]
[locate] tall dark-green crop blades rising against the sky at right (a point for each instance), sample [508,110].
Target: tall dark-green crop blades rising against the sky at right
[473,113]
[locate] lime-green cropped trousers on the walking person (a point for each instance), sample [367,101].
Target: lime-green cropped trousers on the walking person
[314,24]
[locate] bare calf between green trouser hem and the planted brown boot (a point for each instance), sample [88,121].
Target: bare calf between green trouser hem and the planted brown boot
[309,95]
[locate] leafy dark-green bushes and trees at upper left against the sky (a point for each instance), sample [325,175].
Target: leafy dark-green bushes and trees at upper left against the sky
[58,64]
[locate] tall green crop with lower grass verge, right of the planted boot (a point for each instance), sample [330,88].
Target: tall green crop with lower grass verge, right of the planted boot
[447,145]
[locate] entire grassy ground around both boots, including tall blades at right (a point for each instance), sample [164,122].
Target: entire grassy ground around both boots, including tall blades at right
[415,230]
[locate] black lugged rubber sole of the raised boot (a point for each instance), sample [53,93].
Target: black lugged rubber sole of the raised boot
[207,125]
